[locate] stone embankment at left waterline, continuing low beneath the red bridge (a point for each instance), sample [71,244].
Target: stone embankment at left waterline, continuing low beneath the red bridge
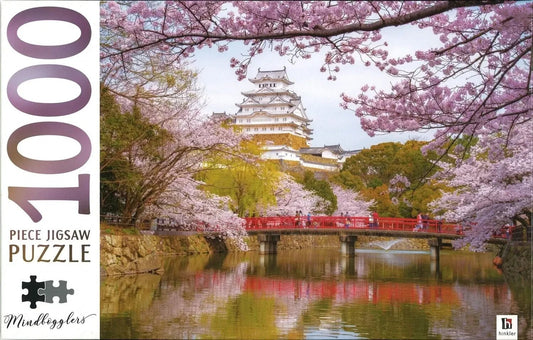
[129,254]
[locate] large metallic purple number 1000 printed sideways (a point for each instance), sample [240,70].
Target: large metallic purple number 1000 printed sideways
[23,195]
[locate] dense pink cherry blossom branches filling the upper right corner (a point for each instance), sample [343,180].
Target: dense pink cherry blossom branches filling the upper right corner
[478,82]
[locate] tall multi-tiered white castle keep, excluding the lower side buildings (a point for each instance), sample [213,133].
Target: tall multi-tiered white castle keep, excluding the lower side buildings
[274,115]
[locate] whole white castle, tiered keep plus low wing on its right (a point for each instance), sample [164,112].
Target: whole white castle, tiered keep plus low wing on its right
[276,117]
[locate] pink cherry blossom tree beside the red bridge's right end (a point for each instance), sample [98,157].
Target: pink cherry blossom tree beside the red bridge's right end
[493,187]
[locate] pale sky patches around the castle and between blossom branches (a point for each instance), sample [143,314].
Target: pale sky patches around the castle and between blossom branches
[321,97]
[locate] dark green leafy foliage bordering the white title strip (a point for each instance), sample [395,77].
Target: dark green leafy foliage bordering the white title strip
[125,138]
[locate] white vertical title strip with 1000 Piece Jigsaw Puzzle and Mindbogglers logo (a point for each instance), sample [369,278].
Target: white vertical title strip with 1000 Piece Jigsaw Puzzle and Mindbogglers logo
[50,273]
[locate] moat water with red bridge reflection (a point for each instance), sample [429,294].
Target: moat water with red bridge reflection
[315,294]
